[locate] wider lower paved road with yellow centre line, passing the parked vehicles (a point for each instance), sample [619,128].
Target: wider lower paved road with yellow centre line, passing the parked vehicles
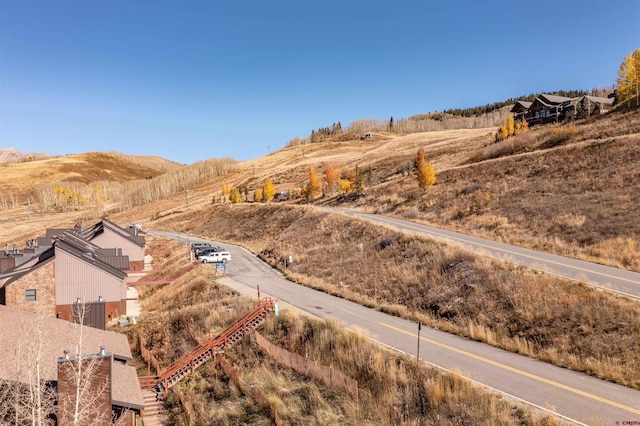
[574,396]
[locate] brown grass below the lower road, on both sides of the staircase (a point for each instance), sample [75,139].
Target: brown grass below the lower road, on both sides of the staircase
[392,390]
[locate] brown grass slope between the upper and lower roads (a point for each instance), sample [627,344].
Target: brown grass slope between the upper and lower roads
[559,321]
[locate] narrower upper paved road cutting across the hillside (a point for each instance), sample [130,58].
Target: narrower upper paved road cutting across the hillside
[618,280]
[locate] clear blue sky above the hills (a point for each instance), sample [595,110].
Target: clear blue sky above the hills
[191,80]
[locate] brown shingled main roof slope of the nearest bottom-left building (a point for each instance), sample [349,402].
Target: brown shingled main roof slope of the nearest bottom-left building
[21,328]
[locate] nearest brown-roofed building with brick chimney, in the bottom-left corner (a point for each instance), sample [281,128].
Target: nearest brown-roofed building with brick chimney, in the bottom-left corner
[104,354]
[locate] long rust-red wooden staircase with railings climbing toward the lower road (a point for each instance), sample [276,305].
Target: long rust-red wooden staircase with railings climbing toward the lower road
[210,349]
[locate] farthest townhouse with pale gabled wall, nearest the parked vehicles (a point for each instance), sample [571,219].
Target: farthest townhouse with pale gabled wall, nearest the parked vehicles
[107,234]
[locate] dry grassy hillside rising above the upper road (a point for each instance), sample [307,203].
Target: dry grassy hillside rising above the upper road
[567,189]
